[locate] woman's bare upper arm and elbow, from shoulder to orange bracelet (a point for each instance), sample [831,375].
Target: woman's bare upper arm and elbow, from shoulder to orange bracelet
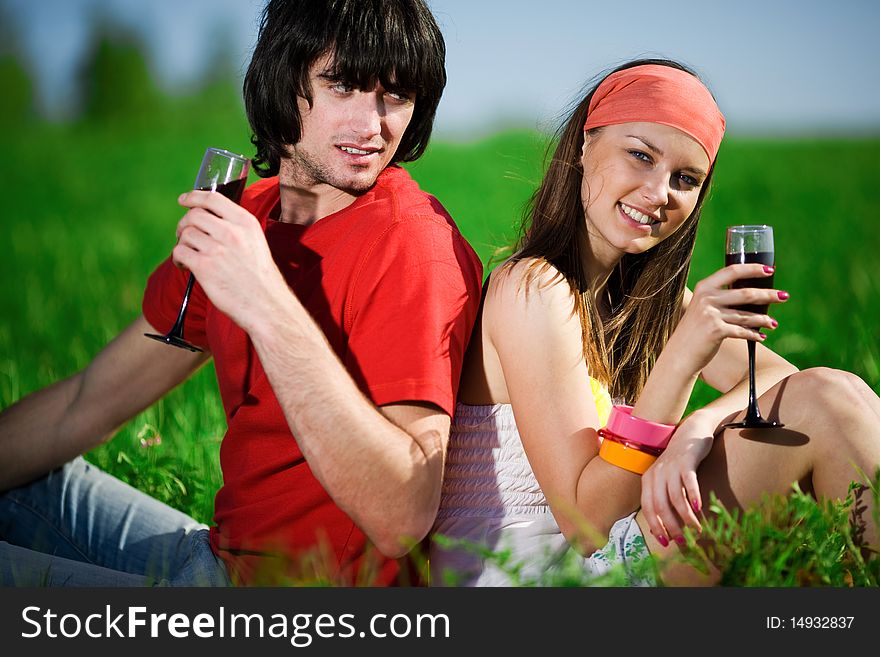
[535,330]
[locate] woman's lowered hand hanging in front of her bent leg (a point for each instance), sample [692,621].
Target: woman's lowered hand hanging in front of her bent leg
[670,491]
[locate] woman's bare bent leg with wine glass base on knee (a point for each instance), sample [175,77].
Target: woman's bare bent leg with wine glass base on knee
[831,436]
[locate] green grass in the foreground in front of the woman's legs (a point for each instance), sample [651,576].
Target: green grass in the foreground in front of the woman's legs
[782,542]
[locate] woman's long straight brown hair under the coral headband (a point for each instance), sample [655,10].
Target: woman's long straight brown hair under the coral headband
[645,290]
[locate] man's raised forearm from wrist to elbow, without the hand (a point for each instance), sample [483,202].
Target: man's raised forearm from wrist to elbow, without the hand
[387,480]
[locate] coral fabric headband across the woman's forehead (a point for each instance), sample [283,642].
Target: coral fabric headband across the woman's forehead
[659,94]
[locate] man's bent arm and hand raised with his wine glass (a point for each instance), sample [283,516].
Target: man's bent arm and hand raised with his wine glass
[383,468]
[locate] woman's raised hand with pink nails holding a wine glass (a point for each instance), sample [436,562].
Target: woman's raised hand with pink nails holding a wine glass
[713,314]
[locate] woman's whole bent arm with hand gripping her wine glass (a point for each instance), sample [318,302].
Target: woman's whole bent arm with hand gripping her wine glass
[535,330]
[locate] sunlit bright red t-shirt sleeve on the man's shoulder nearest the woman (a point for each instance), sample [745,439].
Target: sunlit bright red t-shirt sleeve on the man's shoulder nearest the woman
[410,314]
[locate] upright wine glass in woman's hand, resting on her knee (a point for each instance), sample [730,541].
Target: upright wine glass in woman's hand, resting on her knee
[748,244]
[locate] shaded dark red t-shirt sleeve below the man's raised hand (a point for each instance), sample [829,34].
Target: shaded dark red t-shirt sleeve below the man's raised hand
[163,296]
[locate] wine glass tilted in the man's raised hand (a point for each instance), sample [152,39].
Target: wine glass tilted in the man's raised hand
[222,172]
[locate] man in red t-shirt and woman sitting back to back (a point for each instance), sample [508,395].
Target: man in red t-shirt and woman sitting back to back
[342,308]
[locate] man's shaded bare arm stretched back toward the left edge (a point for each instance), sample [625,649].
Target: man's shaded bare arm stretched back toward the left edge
[51,426]
